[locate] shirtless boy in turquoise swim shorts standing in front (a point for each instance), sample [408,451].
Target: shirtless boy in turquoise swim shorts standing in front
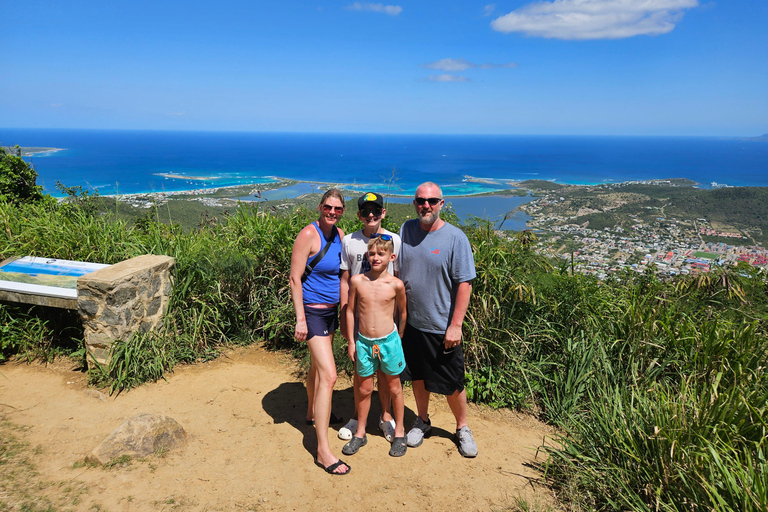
[373,297]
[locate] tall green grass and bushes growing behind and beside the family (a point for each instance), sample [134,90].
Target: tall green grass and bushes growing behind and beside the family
[658,388]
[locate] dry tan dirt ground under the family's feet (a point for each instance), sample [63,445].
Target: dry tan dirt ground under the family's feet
[249,448]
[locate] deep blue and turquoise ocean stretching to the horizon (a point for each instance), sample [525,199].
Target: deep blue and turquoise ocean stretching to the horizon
[125,162]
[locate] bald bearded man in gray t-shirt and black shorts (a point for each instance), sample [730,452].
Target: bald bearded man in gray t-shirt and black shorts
[437,267]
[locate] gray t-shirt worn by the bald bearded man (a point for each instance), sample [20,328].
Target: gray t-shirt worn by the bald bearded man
[432,265]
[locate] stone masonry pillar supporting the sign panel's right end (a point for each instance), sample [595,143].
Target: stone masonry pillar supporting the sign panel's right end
[122,299]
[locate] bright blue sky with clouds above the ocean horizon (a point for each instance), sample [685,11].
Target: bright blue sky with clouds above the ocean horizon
[582,67]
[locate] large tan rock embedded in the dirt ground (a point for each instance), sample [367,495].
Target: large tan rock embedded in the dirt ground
[139,436]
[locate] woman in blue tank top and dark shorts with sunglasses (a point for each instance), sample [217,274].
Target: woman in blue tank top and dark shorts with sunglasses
[316,301]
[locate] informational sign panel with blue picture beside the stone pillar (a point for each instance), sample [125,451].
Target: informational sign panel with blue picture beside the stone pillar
[48,277]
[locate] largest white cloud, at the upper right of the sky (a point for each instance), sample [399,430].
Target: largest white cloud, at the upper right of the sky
[594,19]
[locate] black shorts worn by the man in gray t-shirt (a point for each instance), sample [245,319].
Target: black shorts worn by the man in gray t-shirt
[427,359]
